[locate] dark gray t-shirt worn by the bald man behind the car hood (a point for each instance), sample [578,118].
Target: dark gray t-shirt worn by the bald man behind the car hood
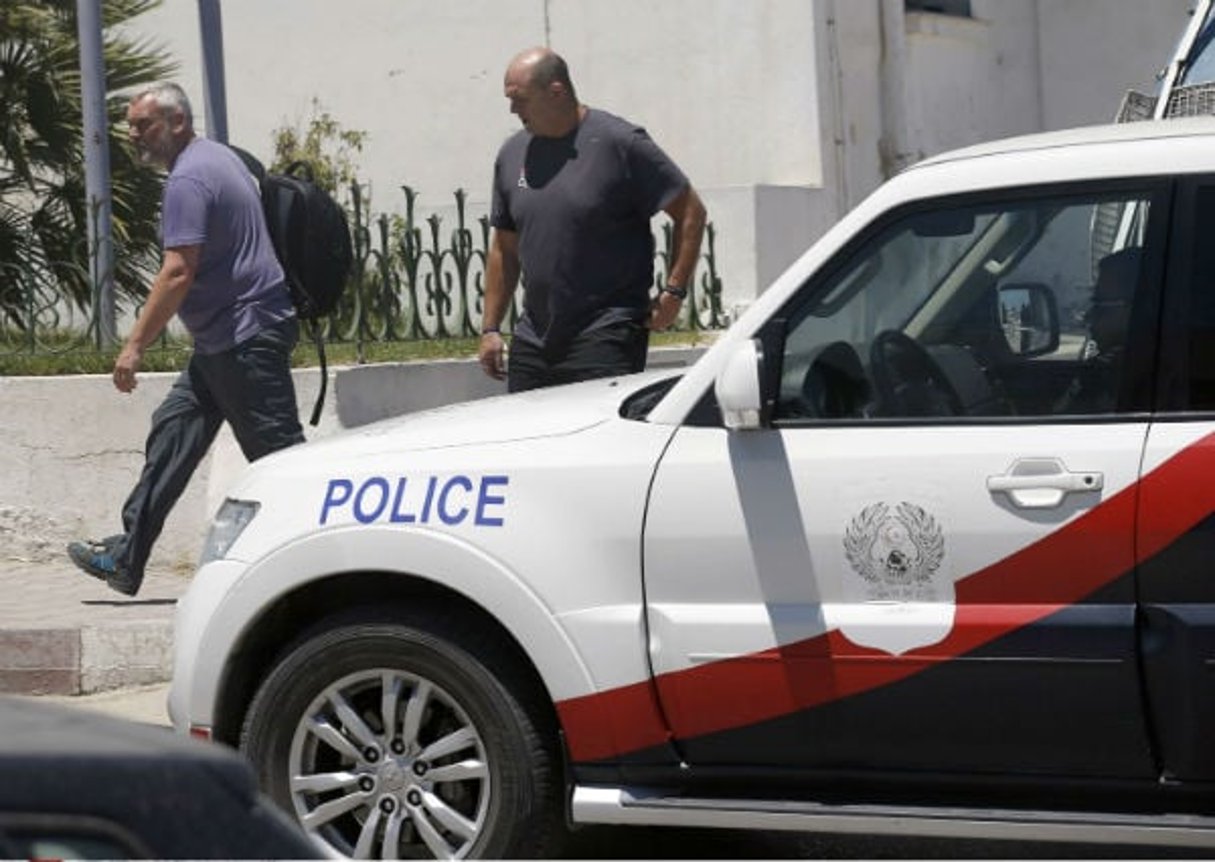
[581,206]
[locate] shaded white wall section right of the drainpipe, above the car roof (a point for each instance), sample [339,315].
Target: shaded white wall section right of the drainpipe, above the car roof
[1032,65]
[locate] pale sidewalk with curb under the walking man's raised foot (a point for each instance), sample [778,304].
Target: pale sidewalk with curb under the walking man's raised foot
[64,633]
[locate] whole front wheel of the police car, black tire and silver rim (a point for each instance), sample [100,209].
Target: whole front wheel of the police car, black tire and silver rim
[405,740]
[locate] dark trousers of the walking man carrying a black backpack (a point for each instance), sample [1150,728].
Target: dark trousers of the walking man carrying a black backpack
[251,387]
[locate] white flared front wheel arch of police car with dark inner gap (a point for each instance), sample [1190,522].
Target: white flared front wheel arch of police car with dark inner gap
[299,589]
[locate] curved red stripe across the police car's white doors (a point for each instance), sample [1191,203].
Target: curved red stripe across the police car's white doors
[1014,593]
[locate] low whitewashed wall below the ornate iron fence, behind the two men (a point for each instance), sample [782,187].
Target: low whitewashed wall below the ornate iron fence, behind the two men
[72,448]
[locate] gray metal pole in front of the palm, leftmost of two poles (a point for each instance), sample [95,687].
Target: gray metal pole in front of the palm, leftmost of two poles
[97,166]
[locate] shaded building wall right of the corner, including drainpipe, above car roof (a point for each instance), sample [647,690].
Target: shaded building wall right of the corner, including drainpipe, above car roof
[911,86]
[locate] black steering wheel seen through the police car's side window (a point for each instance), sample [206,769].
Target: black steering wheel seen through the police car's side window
[908,380]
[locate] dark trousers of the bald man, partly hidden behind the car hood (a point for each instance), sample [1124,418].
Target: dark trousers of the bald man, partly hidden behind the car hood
[604,352]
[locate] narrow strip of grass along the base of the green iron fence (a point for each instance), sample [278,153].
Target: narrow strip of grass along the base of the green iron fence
[172,354]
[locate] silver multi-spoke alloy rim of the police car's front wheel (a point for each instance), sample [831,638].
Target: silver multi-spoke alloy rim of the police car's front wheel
[387,764]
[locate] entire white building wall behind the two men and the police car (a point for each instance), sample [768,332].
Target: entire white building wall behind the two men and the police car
[784,114]
